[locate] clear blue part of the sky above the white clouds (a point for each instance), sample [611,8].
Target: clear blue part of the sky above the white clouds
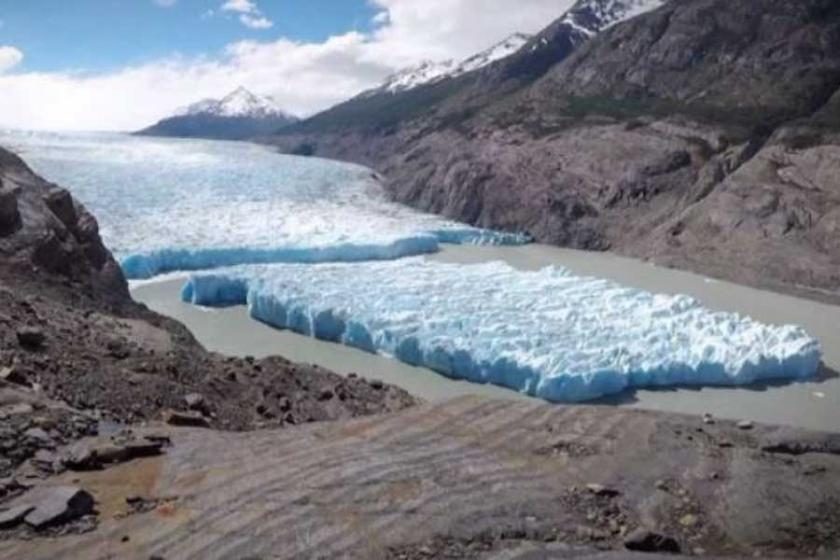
[102,35]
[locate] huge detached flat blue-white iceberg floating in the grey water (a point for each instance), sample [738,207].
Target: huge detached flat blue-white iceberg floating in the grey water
[549,333]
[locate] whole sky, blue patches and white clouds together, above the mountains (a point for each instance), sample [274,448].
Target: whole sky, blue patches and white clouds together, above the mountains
[124,64]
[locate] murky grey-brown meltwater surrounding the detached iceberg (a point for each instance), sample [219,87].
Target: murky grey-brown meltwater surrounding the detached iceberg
[813,405]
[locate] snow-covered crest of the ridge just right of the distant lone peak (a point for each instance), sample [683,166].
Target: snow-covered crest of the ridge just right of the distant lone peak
[429,72]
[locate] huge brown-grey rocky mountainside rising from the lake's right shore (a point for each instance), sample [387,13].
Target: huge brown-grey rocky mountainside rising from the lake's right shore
[702,134]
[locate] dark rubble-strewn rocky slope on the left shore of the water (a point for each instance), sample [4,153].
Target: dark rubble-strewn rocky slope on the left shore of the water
[73,345]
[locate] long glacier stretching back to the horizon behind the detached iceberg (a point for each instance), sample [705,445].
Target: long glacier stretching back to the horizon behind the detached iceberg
[167,205]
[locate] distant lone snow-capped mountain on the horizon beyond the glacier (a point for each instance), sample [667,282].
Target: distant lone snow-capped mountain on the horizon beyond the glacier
[239,115]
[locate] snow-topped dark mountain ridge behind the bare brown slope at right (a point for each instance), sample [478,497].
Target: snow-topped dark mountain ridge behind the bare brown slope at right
[446,90]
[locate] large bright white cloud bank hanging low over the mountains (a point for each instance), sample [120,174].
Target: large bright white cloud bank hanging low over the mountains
[302,77]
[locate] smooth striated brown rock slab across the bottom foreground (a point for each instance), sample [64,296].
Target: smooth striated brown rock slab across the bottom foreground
[470,478]
